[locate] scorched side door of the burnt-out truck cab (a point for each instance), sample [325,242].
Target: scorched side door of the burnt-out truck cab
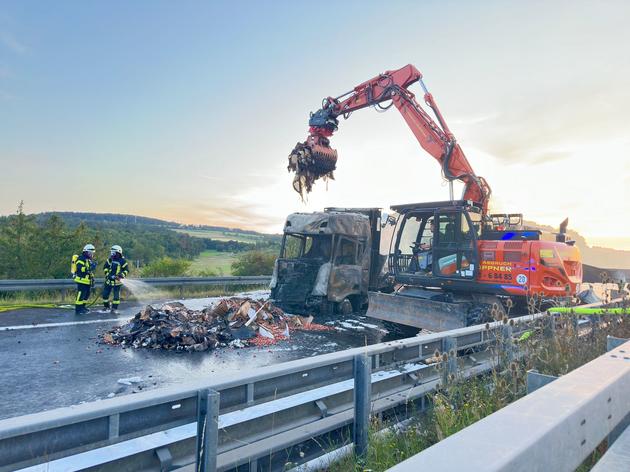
[346,274]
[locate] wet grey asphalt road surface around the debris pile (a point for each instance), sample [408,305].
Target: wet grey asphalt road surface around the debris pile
[52,358]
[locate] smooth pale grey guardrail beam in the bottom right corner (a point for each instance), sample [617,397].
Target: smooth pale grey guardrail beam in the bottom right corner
[554,428]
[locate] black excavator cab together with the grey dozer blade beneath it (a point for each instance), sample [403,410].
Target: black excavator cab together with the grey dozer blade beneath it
[434,253]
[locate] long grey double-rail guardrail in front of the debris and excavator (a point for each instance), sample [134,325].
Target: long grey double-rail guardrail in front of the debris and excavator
[283,413]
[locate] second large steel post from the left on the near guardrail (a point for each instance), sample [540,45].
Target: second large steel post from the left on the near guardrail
[362,399]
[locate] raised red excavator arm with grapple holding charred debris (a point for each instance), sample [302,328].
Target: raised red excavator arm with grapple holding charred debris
[314,158]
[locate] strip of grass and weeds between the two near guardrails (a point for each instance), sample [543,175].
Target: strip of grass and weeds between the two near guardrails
[463,402]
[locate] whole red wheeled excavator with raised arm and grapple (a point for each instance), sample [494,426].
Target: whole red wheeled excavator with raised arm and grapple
[451,263]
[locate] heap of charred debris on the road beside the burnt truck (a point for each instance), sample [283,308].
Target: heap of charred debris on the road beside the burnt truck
[233,322]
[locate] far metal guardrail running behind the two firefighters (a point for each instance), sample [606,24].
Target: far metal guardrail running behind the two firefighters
[52,284]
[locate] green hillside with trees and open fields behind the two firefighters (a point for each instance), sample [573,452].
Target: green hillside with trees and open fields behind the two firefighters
[41,246]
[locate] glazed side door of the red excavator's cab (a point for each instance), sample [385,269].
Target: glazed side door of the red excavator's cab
[455,245]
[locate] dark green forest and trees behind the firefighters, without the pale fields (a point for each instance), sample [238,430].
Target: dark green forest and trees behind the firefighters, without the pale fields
[41,246]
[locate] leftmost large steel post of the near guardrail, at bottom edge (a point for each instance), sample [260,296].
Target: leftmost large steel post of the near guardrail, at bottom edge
[207,430]
